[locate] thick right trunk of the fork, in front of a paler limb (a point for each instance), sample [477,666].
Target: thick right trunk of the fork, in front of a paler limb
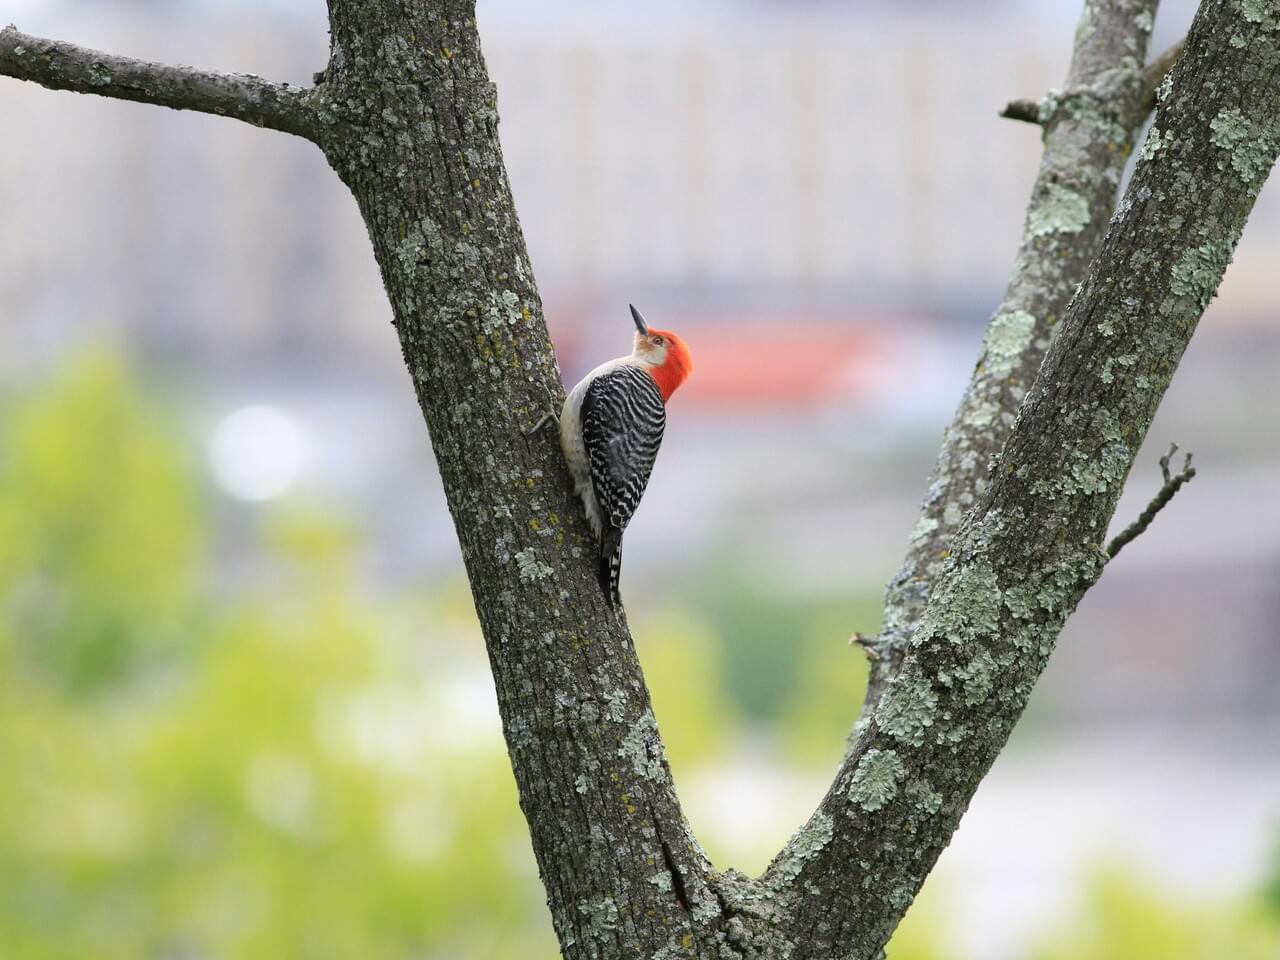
[1034,545]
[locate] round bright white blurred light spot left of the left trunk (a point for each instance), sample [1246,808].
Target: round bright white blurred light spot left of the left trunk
[257,452]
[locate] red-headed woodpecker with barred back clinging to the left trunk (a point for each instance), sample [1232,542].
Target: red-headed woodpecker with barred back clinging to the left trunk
[611,428]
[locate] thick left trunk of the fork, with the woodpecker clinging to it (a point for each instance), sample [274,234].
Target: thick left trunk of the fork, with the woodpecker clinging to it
[409,121]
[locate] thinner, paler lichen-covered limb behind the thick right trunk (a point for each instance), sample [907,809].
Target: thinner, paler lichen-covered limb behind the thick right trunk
[1089,136]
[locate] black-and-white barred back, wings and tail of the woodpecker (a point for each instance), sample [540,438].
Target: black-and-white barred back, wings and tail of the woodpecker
[623,422]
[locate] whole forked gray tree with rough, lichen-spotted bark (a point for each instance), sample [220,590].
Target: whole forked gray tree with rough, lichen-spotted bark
[406,116]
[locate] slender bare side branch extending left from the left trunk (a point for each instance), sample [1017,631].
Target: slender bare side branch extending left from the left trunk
[60,66]
